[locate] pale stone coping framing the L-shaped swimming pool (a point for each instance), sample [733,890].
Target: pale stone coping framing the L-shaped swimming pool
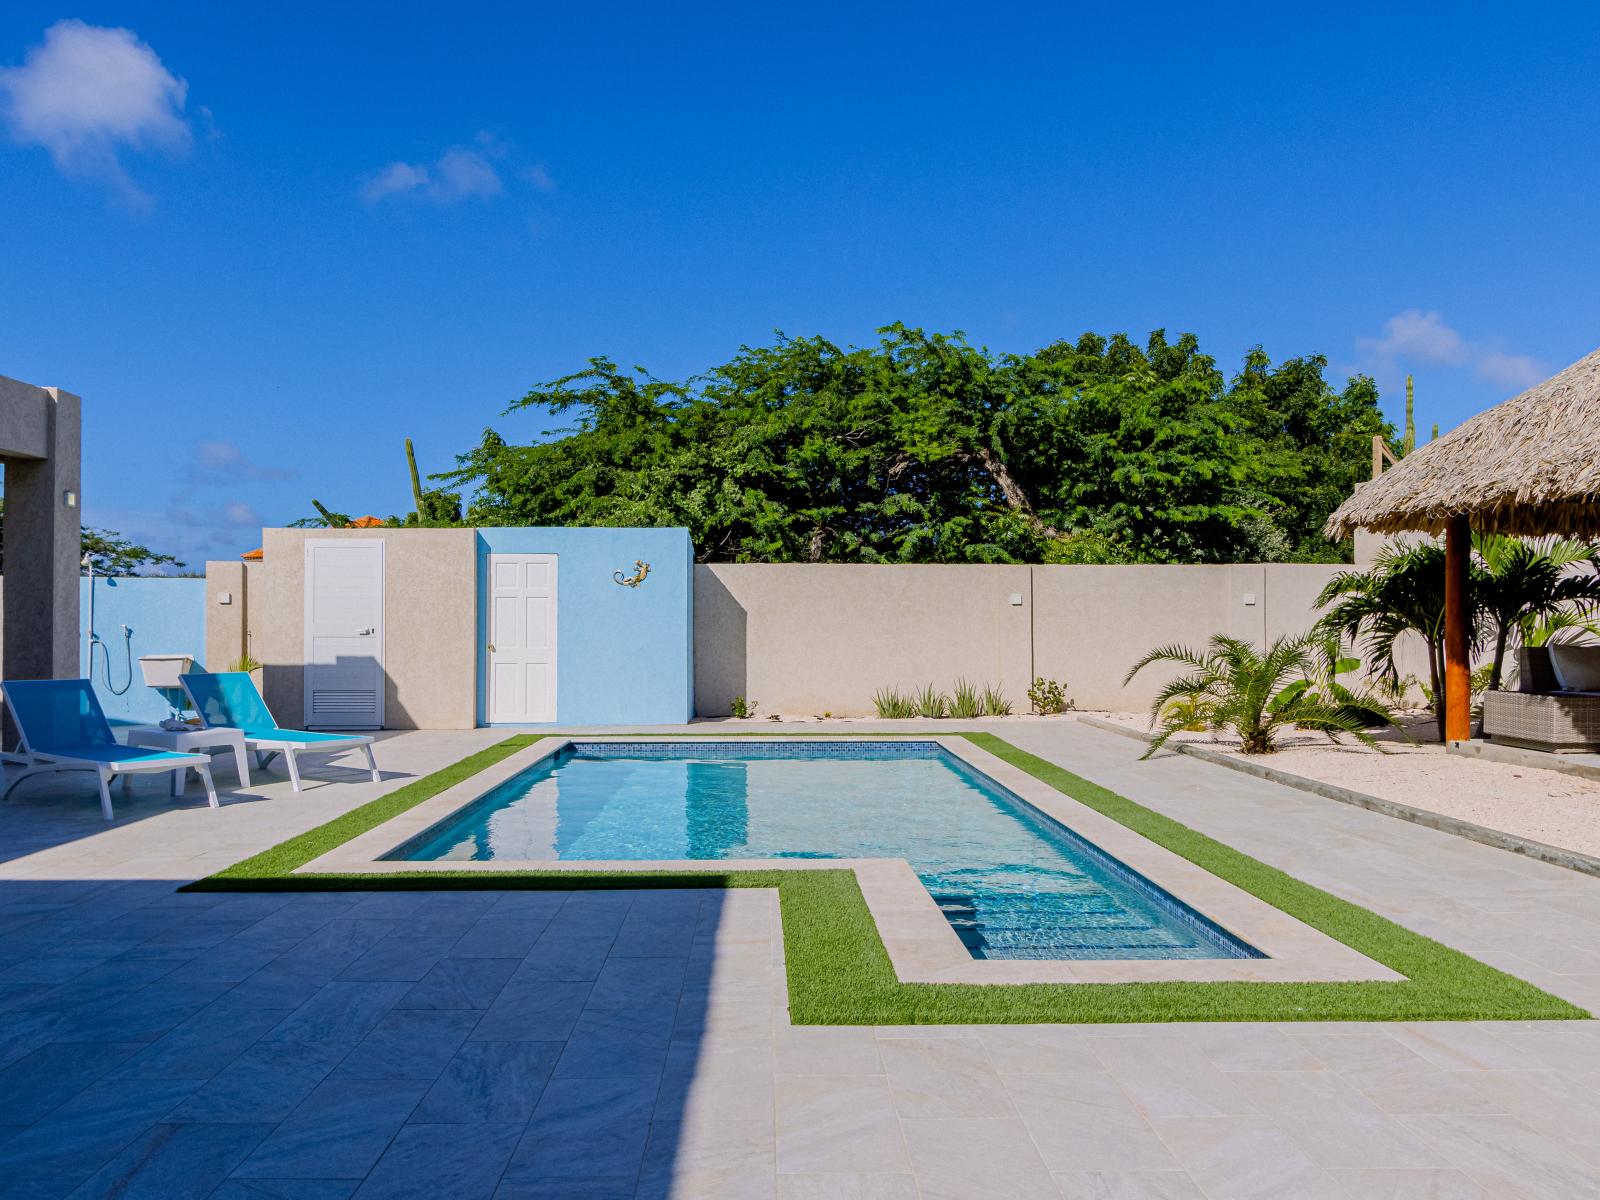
[921,943]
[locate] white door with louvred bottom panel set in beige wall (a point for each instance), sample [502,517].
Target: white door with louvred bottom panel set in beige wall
[345,634]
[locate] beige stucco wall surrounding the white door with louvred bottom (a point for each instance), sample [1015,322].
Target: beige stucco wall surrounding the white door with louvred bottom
[430,625]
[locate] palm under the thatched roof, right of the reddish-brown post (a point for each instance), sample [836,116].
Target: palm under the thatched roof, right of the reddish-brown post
[1532,583]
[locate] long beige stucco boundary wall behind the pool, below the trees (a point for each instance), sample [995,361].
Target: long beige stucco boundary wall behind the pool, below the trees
[802,639]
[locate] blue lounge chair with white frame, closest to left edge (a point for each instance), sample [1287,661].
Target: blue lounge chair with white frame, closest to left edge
[63,729]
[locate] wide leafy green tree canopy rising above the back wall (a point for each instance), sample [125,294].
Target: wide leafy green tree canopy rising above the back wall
[927,449]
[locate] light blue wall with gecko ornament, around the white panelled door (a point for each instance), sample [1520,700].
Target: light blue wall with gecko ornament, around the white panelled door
[625,655]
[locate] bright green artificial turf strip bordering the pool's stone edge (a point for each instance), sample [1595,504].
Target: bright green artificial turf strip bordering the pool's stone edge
[839,972]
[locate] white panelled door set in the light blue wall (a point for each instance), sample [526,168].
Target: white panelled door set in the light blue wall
[521,641]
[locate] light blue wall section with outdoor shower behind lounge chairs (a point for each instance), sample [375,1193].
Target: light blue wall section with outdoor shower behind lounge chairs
[164,617]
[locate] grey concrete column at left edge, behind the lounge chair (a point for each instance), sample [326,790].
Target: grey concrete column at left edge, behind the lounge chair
[44,546]
